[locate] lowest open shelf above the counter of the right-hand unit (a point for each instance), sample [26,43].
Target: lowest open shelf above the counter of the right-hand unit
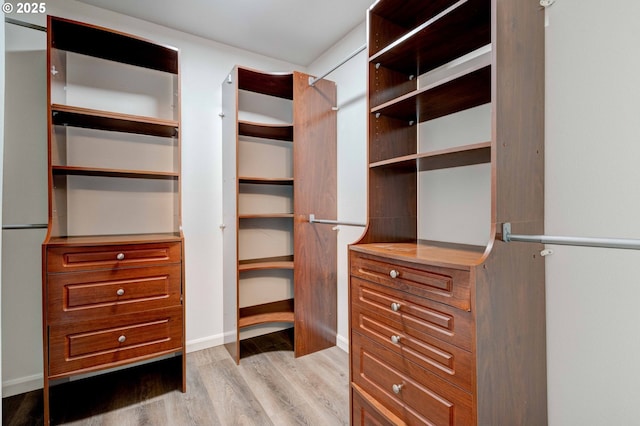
[442,159]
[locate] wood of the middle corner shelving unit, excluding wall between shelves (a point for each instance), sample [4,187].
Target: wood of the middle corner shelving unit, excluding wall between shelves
[314,257]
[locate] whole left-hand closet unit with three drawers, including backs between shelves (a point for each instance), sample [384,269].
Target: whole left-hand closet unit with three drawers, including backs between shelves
[113,274]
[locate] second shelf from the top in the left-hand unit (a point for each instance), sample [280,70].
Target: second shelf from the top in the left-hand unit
[67,115]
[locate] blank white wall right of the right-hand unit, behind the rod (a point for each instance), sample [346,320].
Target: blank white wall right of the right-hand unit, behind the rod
[592,174]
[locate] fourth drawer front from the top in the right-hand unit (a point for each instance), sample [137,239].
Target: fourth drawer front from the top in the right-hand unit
[419,397]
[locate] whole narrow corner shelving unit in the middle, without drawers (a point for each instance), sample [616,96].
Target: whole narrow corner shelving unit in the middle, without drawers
[279,166]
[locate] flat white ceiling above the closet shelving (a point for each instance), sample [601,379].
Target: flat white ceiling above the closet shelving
[296,31]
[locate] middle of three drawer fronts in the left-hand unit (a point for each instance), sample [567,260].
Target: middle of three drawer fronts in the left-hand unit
[80,296]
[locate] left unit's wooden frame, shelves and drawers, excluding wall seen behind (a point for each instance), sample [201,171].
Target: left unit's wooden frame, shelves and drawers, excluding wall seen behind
[101,310]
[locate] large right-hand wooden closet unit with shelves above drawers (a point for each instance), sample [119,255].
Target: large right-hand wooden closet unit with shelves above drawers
[445,332]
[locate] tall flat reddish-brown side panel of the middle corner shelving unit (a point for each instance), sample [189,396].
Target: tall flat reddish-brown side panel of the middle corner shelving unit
[315,191]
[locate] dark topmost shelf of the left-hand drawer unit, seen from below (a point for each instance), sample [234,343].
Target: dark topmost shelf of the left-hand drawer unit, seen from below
[103,43]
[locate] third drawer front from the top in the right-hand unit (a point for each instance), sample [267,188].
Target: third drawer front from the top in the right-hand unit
[387,329]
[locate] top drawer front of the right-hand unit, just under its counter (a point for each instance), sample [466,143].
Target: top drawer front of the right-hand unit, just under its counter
[444,285]
